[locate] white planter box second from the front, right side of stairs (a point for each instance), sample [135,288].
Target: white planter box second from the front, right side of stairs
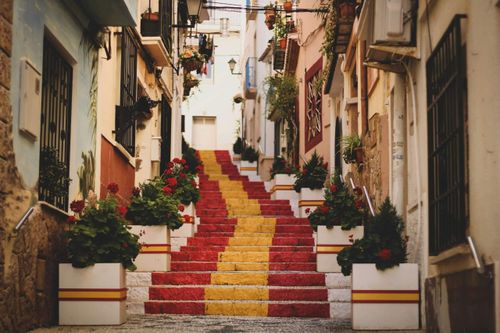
[330,242]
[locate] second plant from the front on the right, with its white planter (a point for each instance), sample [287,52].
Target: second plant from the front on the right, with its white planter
[338,222]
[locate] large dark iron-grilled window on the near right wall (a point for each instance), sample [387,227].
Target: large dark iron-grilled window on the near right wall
[447,119]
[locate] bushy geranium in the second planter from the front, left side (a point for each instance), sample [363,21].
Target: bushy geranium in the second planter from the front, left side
[153,204]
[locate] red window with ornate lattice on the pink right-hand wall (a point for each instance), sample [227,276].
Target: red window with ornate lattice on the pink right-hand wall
[313,117]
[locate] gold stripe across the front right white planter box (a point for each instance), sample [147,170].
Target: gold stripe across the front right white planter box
[385,296]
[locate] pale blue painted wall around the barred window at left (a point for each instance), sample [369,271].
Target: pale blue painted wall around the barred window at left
[33,19]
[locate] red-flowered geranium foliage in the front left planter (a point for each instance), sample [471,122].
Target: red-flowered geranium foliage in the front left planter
[99,232]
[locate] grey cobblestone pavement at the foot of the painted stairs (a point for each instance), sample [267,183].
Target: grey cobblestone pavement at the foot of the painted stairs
[214,324]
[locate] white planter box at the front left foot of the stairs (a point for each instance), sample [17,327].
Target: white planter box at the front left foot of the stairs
[94,295]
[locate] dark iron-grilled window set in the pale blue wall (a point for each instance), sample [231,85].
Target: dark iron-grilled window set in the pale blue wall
[55,128]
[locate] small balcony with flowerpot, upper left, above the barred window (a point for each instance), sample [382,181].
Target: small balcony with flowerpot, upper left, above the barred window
[156,34]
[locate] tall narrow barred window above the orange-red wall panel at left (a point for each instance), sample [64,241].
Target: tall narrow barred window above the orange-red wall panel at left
[125,123]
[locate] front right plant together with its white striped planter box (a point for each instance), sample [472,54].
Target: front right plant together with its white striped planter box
[384,286]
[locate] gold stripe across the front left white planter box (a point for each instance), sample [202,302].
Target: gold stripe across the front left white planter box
[88,294]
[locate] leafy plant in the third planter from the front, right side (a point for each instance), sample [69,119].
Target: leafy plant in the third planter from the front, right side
[313,174]
